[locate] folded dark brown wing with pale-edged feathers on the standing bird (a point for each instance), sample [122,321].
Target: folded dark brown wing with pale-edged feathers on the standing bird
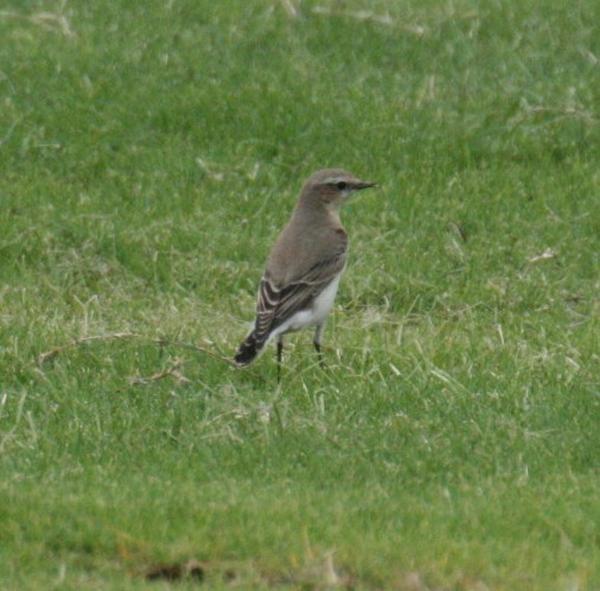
[275,304]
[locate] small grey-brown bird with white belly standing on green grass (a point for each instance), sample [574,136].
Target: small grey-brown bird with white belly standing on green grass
[303,270]
